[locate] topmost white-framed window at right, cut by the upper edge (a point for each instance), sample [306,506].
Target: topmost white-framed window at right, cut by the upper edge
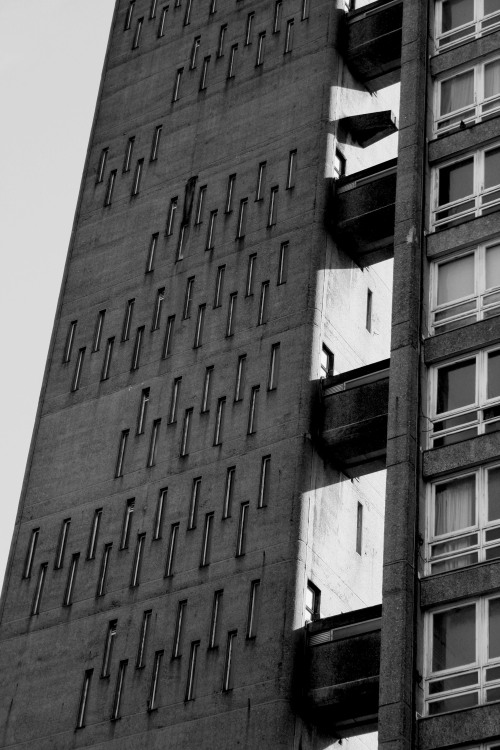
[460,20]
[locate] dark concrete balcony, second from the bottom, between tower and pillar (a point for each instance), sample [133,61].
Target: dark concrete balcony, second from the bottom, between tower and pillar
[354,419]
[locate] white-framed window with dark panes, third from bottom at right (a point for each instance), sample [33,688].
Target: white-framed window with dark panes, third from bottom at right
[465,398]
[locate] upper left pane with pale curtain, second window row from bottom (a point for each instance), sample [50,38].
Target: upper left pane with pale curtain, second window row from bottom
[455,505]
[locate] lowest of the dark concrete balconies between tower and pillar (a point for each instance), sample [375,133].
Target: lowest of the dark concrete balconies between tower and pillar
[342,672]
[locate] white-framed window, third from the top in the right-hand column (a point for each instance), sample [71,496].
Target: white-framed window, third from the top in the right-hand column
[466,188]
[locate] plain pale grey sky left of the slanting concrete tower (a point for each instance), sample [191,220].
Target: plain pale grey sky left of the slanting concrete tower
[50,69]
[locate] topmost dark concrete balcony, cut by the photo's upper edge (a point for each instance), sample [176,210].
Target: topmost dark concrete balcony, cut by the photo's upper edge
[373,47]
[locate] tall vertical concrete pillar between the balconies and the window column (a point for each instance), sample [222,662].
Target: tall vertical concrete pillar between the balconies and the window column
[397,713]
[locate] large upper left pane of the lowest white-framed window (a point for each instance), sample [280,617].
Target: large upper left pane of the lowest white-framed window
[454,638]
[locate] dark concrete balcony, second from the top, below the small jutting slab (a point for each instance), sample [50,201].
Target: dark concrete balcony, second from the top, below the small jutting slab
[362,212]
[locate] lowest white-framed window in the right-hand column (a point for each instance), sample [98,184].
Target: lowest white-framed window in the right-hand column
[462,655]
